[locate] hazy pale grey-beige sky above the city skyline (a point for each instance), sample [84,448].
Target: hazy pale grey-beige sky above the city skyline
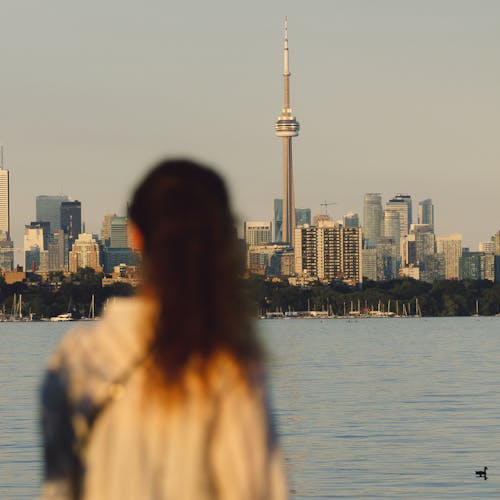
[392,96]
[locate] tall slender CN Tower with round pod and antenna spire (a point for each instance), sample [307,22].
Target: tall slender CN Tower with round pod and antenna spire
[287,127]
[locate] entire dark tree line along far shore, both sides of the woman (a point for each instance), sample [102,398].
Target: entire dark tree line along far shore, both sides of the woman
[60,294]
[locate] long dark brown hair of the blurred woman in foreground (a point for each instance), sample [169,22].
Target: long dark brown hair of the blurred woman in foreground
[192,263]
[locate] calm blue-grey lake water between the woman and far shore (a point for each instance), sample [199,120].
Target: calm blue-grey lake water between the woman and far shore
[377,408]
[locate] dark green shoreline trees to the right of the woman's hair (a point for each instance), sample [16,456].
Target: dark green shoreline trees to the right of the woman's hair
[441,298]
